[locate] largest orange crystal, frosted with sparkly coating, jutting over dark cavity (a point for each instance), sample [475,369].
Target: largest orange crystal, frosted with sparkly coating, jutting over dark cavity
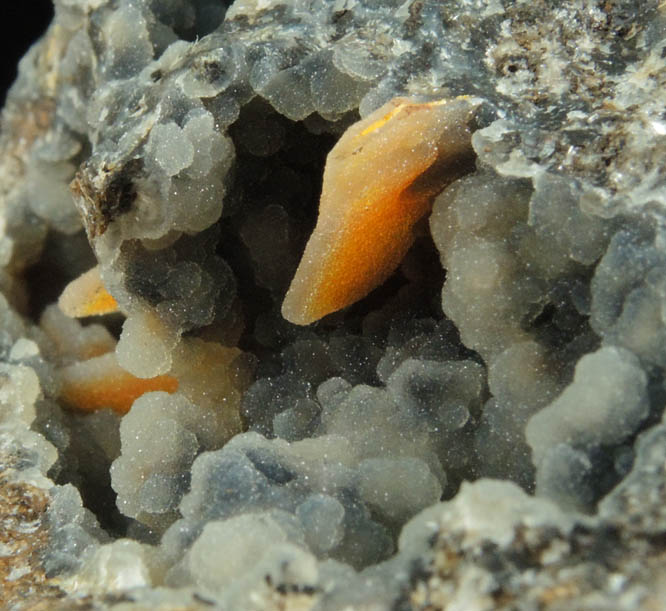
[379,181]
